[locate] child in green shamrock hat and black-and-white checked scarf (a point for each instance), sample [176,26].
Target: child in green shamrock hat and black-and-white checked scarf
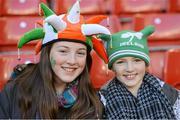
[134,93]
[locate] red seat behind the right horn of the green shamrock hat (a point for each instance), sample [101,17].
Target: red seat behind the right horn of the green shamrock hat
[167,28]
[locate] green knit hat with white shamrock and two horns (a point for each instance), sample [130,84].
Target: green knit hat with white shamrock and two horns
[128,43]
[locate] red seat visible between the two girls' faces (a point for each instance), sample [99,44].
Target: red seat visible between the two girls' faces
[99,73]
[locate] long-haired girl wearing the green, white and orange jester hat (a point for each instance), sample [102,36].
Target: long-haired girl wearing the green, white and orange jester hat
[59,85]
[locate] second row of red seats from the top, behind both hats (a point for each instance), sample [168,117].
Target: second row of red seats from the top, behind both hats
[167,27]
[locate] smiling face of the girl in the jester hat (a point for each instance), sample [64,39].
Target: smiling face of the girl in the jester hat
[68,60]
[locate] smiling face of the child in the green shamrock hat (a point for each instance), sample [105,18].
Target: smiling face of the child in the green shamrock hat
[130,71]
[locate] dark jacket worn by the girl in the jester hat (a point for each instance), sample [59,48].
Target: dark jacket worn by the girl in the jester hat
[9,108]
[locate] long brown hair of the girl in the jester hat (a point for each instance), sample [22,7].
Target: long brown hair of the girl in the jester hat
[36,92]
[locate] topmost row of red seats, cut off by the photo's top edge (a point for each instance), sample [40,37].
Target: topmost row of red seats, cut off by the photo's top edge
[30,7]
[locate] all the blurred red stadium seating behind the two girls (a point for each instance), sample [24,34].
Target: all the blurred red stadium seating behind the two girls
[19,16]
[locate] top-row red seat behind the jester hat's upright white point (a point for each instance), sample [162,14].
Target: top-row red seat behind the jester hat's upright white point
[87,6]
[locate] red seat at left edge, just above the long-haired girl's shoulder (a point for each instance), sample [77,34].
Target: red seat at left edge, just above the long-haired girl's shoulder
[9,60]
